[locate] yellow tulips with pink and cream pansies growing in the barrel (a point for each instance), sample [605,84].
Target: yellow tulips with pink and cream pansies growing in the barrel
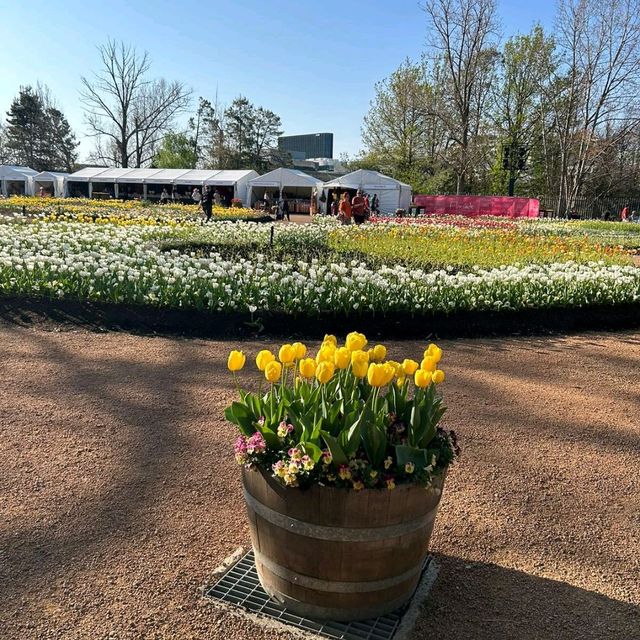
[349,417]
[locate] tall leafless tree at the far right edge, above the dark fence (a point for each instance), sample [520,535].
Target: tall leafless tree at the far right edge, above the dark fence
[593,97]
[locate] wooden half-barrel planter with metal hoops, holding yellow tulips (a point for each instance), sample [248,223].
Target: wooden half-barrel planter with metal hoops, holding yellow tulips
[338,554]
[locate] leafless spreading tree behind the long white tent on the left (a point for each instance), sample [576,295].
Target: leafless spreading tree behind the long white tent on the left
[127,112]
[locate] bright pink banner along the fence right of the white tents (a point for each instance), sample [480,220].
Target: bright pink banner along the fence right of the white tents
[479,206]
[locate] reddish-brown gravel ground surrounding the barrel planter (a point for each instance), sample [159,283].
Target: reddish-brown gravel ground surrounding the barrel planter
[119,497]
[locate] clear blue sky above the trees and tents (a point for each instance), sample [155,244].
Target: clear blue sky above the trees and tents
[313,63]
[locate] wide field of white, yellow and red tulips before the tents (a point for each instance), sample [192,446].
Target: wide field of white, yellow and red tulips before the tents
[310,269]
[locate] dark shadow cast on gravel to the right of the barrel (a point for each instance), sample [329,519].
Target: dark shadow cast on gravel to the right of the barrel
[472,599]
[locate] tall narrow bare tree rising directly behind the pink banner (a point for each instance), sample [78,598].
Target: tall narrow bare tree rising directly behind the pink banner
[462,33]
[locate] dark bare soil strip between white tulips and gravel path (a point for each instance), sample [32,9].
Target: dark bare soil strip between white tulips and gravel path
[207,324]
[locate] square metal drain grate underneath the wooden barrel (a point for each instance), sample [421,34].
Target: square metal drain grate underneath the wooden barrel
[240,586]
